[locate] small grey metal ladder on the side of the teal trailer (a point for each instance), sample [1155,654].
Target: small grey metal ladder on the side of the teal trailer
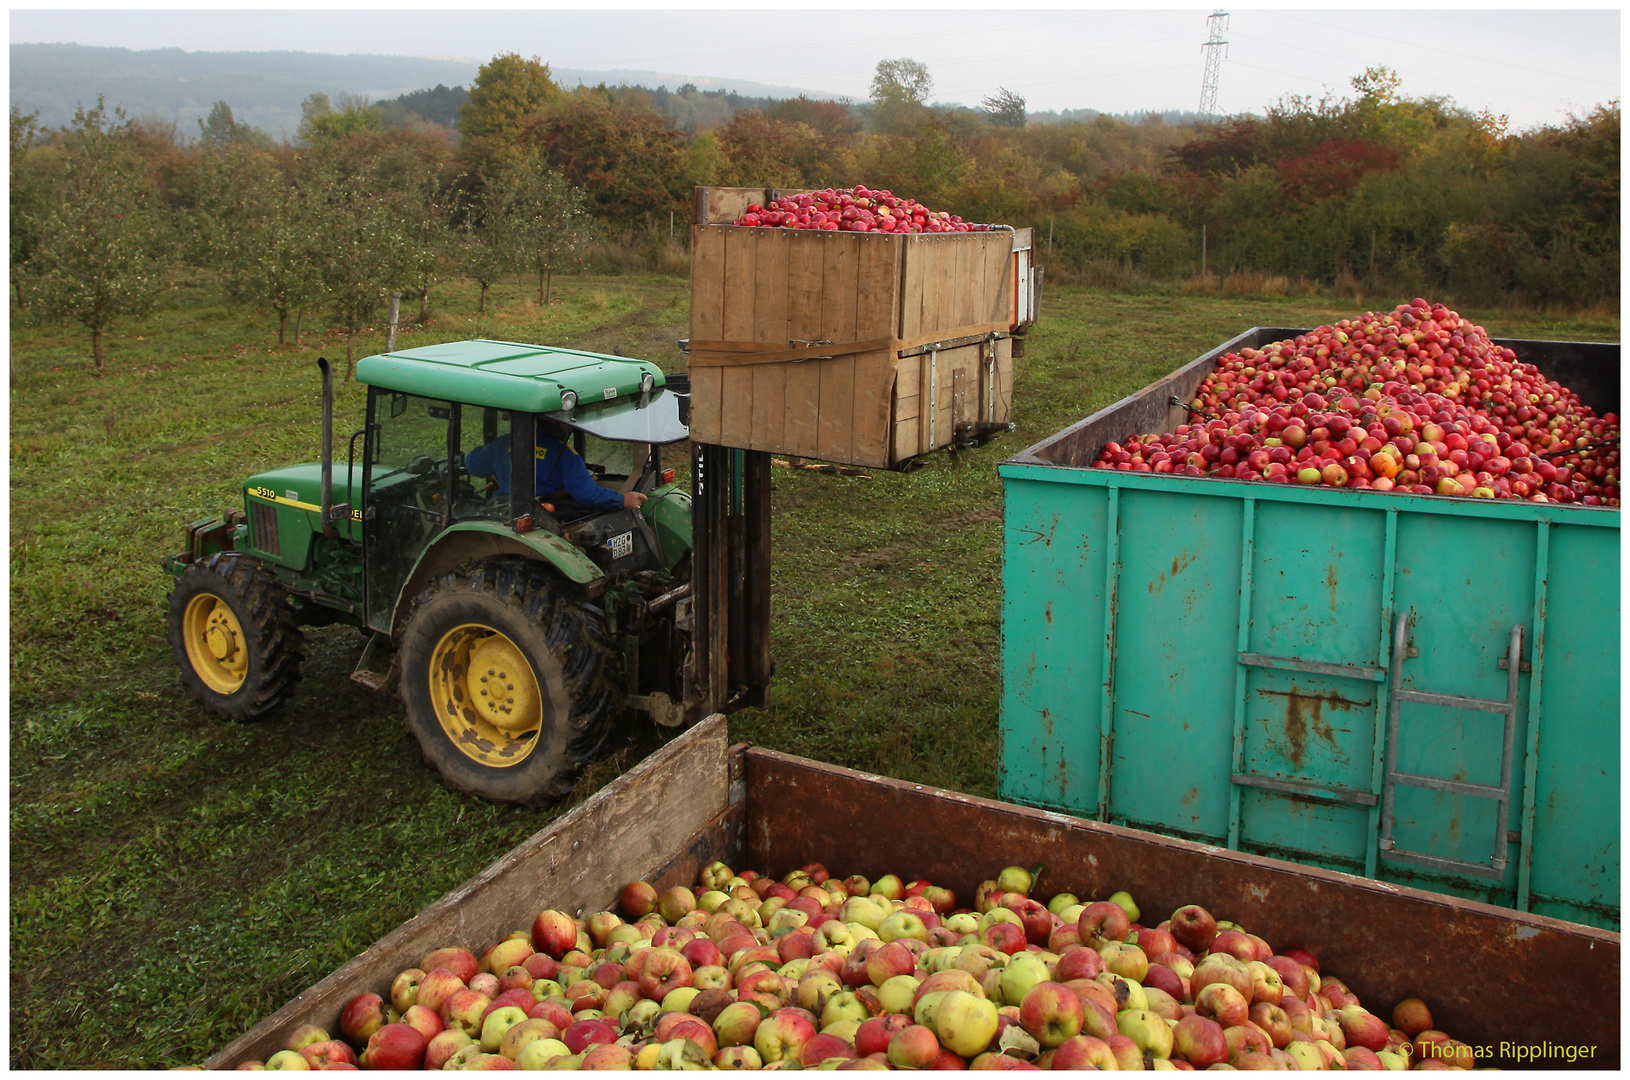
[1496,867]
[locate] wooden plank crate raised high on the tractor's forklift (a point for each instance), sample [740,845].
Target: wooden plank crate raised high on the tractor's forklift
[852,348]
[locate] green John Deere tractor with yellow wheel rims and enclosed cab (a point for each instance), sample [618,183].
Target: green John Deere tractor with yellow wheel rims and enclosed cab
[518,625]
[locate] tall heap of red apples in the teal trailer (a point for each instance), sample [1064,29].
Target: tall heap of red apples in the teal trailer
[1414,402]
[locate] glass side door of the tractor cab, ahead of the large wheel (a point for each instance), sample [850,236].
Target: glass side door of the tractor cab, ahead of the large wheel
[408,491]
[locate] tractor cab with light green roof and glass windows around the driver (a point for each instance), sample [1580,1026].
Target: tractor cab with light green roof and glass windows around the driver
[451,424]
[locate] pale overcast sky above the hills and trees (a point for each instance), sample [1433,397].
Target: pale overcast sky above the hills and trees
[1536,68]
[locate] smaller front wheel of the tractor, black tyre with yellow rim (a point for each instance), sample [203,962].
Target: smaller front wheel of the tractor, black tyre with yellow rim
[234,636]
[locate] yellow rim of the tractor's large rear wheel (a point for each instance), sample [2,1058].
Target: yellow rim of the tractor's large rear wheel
[487,696]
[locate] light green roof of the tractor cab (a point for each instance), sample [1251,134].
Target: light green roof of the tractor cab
[506,375]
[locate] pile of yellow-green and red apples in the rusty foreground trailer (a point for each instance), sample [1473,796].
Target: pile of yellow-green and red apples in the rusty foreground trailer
[822,973]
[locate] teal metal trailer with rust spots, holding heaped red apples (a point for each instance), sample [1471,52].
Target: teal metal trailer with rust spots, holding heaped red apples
[1417,690]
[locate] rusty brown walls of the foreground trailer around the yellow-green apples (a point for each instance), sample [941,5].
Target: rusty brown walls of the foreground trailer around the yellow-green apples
[1494,978]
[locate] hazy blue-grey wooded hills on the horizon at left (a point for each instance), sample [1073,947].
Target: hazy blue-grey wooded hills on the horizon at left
[267,89]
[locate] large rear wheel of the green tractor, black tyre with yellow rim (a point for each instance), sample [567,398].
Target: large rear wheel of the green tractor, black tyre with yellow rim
[521,612]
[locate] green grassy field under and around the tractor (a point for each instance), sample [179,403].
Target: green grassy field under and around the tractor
[177,877]
